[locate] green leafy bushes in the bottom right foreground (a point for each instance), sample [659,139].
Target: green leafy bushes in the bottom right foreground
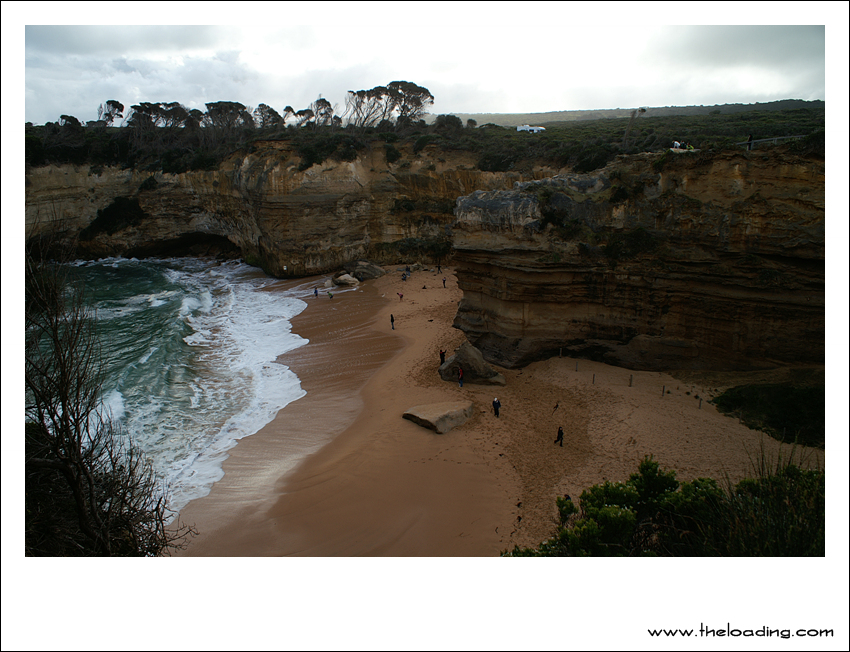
[778,512]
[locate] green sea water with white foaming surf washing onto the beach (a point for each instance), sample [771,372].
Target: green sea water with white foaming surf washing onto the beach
[189,347]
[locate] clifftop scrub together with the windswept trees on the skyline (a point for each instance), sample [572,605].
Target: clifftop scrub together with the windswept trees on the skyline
[171,138]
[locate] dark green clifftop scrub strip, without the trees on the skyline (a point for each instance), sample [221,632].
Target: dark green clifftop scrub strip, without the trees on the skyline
[583,146]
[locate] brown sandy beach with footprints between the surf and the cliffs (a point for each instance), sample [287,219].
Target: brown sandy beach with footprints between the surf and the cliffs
[375,484]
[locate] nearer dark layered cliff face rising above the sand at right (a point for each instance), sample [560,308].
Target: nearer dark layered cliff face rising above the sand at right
[656,262]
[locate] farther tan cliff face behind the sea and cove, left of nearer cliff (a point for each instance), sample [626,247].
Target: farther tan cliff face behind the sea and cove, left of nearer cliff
[260,207]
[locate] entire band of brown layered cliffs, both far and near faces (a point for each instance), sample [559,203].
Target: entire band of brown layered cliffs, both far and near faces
[656,262]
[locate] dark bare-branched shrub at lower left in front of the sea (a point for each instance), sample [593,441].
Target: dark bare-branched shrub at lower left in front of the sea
[89,490]
